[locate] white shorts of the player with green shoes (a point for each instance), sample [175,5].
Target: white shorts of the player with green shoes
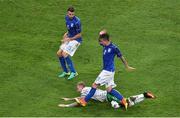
[70,47]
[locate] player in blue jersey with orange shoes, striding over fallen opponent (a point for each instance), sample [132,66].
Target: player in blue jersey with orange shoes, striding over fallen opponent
[106,77]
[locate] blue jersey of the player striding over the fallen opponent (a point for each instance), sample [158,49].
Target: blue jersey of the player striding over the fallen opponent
[109,52]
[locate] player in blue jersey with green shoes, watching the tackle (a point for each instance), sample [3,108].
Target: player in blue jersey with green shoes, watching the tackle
[71,41]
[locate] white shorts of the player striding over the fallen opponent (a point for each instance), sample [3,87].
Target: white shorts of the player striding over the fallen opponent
[106,78]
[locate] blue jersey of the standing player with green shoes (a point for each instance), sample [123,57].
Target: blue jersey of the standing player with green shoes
[74,27]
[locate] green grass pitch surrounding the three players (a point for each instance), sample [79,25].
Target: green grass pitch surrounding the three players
[147,32]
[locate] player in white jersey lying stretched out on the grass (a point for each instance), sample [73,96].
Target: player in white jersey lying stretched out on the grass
[104,96]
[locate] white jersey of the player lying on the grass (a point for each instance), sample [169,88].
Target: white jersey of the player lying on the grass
[99,95]
